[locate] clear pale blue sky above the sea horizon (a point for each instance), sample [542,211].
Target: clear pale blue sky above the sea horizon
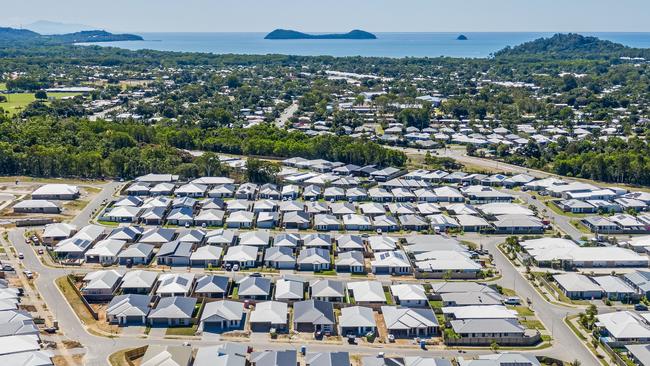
[337,15]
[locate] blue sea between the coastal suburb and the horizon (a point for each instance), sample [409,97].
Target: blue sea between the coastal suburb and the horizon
[386,44]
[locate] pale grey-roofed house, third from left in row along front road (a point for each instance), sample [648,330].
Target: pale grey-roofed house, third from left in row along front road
[222,316]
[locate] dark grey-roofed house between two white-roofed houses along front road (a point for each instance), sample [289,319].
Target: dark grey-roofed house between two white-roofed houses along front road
[314,316]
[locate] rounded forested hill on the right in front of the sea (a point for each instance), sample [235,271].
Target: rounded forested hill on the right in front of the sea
[571,46]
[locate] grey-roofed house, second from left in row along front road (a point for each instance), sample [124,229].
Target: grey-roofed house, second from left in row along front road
[172,311]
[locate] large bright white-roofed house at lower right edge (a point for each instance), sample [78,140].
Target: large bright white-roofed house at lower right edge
[621,328]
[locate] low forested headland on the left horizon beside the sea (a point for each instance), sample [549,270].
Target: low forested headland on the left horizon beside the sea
[24,35]
